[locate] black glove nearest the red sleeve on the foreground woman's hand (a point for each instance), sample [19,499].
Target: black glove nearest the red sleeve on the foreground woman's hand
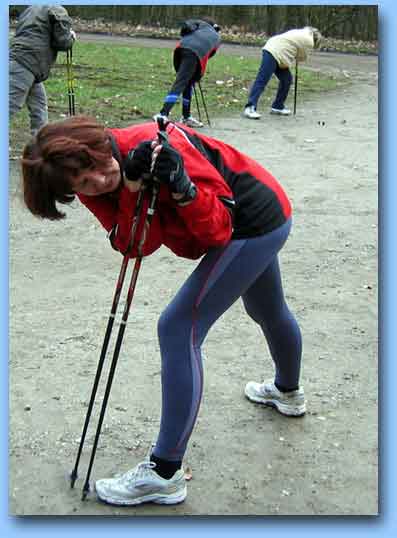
[169,169]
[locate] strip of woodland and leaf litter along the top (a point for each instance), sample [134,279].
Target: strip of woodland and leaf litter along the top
[350,28]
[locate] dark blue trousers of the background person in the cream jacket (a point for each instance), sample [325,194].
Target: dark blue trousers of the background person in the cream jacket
[270,67]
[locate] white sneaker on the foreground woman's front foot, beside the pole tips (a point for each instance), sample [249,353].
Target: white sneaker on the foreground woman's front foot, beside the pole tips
[140,485]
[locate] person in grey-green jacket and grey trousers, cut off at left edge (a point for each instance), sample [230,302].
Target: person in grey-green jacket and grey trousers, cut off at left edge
[42,31]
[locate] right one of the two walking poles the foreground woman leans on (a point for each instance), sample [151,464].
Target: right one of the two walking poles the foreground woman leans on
[138,261]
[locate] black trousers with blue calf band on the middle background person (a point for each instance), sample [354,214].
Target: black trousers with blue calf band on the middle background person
[186,75]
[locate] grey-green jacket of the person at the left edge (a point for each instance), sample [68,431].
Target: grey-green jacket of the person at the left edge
[41,32]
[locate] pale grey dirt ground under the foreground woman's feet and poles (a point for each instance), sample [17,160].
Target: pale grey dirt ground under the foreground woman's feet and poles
[244,459]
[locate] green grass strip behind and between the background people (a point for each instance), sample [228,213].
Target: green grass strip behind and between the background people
[120,85]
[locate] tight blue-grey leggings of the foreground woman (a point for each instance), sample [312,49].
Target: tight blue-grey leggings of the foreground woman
[246,268]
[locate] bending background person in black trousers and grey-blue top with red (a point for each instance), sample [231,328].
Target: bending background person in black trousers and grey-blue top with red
[199,41]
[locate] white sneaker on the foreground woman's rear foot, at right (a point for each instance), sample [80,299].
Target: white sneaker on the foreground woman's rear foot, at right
[287,403]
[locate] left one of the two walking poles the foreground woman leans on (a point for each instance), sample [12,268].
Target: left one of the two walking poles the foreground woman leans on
[116,299]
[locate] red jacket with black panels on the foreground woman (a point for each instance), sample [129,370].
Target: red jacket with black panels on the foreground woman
[189,231]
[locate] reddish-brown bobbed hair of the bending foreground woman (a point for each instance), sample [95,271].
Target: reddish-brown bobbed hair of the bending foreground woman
[58,153]
